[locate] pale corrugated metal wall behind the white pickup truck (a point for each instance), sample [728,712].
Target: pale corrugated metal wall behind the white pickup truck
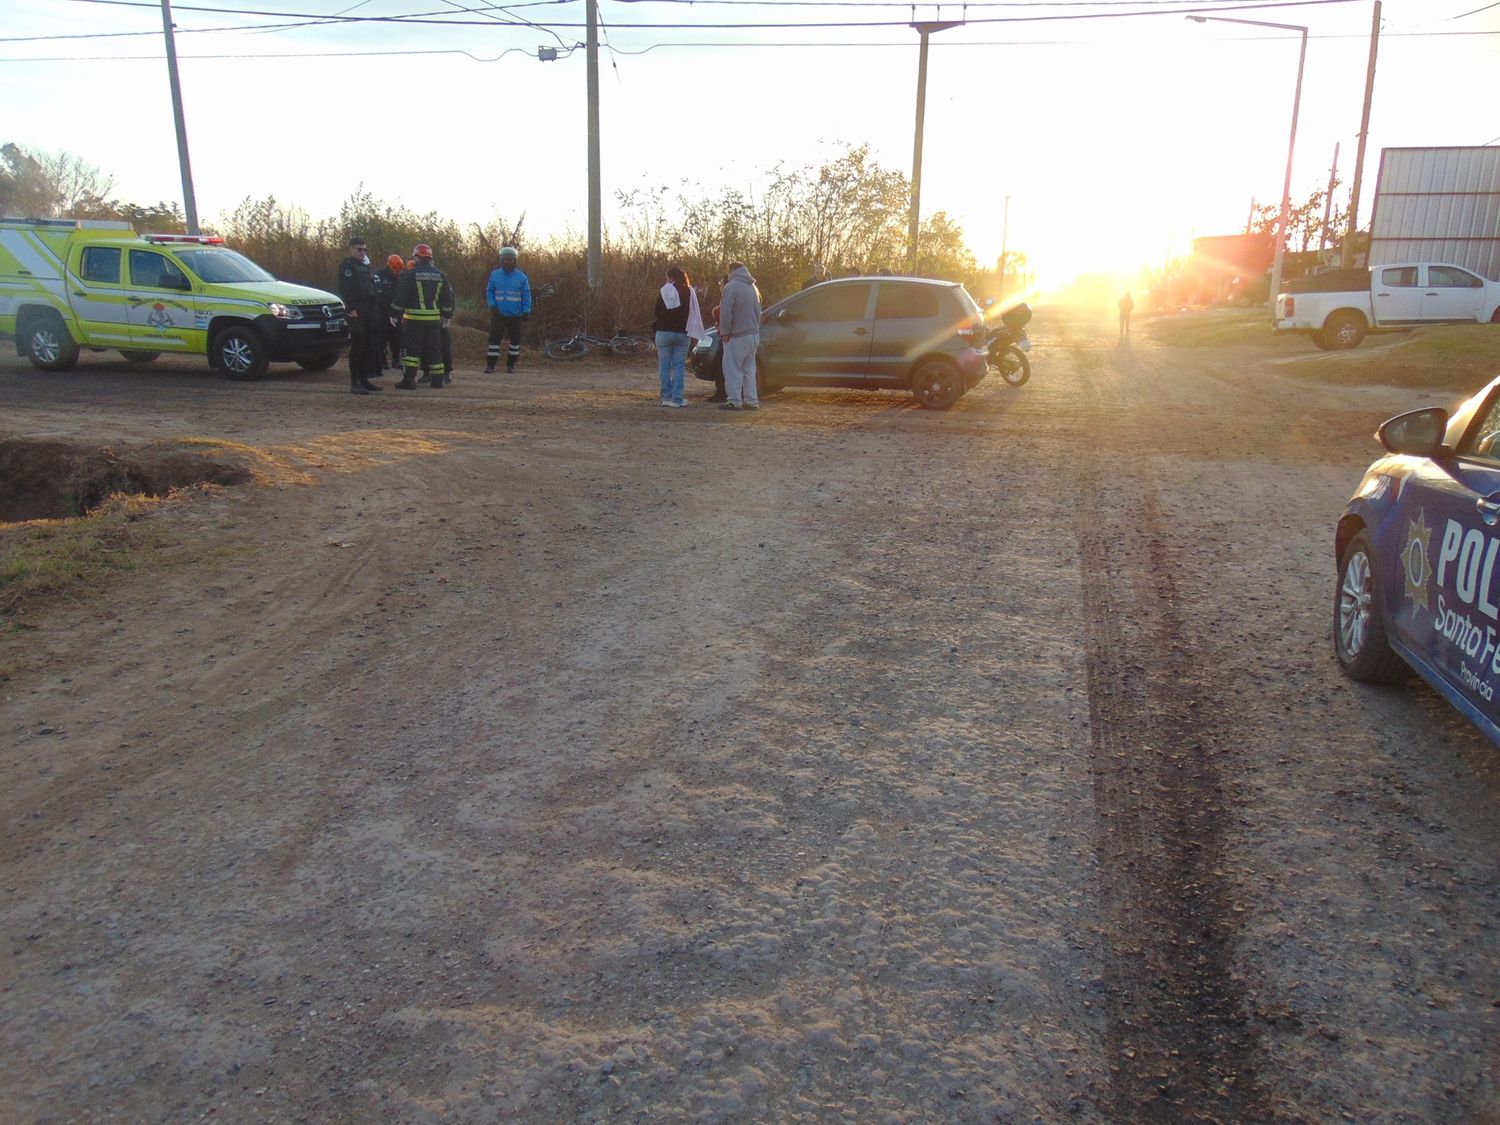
[1438,205]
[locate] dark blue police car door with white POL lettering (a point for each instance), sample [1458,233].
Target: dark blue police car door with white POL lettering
[1442,563]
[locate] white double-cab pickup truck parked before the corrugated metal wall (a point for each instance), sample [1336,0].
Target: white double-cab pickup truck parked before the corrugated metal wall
[1340,307]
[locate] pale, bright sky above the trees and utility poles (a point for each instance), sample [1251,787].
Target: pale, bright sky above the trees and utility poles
[1117,139]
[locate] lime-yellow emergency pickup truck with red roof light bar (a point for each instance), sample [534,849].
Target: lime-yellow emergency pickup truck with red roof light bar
[70,284]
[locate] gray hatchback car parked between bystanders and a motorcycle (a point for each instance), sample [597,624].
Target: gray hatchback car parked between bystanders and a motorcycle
[901,334]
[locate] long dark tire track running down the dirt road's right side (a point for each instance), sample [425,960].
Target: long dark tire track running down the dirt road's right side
[1178,1045]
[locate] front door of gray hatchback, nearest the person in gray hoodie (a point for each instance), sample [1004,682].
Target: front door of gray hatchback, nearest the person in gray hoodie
[820,334]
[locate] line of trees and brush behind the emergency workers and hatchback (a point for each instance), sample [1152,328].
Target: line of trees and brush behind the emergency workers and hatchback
[850,215]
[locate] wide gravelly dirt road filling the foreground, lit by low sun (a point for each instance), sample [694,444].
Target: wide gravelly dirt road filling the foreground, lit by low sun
[529,752]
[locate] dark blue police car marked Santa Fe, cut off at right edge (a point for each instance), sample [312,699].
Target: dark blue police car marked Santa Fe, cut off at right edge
[1418,553]
